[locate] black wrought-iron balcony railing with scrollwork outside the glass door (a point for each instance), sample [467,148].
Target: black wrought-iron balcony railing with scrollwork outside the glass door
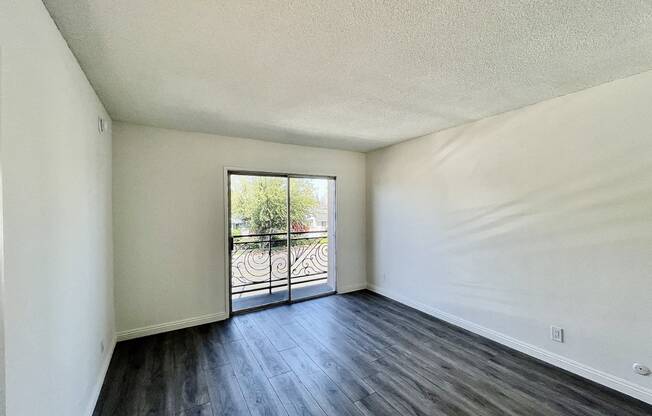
[259,262]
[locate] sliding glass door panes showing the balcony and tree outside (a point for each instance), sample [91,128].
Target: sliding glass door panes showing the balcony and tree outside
[281,238]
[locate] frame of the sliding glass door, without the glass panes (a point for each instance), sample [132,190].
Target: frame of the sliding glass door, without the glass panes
[228,172]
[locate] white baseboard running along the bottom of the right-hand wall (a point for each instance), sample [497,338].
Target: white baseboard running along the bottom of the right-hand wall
[600,377]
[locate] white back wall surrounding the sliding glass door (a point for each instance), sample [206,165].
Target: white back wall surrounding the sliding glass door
[169,215]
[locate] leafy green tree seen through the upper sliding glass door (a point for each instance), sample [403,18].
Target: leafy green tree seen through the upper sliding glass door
[261,203]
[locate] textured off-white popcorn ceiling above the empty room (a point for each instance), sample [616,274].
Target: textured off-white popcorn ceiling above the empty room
[343,73]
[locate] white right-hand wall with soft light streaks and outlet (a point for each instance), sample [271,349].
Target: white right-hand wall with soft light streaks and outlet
[535,217]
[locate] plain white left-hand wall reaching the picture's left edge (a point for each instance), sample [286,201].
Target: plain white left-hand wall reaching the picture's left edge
[57,220]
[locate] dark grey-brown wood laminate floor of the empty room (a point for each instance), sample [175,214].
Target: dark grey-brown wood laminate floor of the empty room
[355,354]
